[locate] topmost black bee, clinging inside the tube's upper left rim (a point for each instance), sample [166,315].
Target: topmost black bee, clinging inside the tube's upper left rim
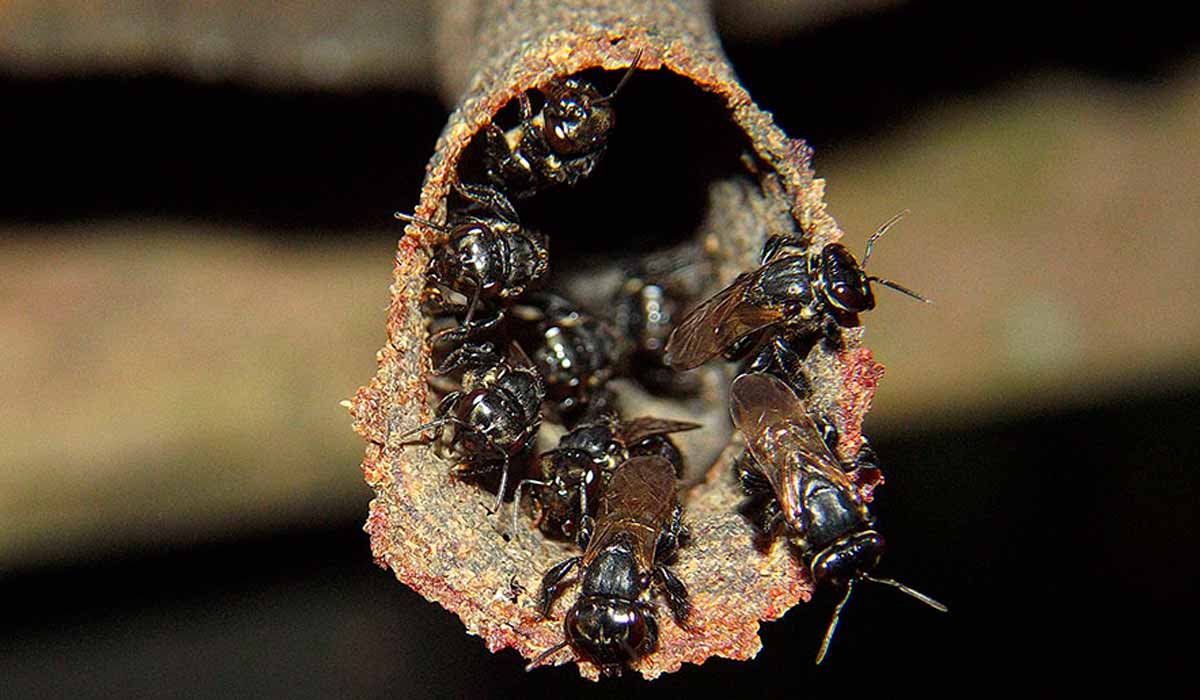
[559,146]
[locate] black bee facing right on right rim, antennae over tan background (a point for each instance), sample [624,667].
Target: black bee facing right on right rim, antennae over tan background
[781,307]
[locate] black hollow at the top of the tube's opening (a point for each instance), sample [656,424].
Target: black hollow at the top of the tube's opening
[671,142]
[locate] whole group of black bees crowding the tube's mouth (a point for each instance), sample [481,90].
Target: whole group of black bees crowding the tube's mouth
[514,355]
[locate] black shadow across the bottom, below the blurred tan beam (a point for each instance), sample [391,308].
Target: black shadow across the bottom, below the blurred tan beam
[1055,541]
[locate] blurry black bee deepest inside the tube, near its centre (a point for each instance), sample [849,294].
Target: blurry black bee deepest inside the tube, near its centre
[646,313]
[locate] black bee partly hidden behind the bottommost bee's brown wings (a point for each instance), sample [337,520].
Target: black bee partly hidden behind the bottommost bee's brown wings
[579,470]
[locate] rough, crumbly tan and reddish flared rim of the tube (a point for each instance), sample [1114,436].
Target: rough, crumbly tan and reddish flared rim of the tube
[693,182]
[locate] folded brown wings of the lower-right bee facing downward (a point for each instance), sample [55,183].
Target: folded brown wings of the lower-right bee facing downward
[782,438]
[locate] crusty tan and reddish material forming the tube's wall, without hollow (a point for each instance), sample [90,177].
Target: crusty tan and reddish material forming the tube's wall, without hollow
[433,530]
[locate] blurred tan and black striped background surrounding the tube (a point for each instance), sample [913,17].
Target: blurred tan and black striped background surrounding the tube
[196,246]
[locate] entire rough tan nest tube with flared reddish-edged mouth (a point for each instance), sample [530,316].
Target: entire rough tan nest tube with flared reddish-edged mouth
[706,171]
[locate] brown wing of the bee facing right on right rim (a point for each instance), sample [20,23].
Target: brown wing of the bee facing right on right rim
[712,327]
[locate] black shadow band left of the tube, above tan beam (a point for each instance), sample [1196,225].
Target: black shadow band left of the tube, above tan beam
[133,147]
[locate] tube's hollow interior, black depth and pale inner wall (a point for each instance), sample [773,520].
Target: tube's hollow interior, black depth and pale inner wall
[673,202]
